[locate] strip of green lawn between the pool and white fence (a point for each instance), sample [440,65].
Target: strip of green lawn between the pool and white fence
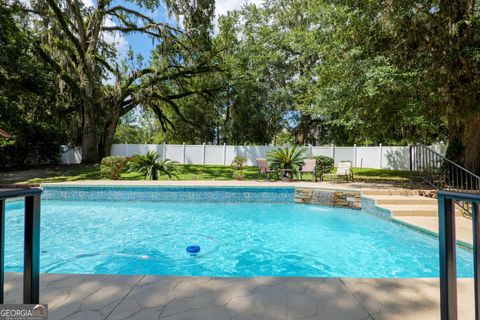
[184,172]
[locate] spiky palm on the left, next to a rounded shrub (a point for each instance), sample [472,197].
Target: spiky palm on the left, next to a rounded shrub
[148,165]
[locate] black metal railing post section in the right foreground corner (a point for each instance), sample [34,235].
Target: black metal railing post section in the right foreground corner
[447,238]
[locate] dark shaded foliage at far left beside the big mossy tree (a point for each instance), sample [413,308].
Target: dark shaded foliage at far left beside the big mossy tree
[31,105]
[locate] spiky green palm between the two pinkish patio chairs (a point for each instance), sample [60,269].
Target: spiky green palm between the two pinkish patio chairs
[287,158]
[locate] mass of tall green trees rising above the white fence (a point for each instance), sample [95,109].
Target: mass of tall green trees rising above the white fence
[321,71]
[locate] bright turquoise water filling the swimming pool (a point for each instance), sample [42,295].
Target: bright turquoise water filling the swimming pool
[236,239]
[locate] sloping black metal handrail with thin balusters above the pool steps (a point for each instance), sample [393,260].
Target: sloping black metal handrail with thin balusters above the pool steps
[440,172]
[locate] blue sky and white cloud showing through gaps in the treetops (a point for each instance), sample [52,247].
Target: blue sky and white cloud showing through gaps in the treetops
[142,44]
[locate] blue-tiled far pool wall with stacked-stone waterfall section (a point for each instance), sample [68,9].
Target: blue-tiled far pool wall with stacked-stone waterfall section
[326,197]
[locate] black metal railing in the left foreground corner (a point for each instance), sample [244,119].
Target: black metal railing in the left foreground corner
[31,269]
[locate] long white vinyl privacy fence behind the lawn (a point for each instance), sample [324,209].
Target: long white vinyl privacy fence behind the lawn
[378,157]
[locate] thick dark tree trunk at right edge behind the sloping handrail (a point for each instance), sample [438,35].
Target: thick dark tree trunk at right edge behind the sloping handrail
[464,140]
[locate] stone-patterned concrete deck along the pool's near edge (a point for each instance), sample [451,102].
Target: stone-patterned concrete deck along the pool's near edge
[203,298]
